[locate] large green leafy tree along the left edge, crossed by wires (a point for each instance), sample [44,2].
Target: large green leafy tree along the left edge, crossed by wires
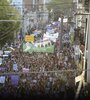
[7,26]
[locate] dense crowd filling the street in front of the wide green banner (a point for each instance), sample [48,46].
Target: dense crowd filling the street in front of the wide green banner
[39,74]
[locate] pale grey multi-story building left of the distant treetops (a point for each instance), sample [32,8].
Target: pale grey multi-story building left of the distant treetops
[34,10]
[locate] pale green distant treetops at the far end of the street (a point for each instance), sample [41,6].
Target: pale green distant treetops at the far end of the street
[60,7]
